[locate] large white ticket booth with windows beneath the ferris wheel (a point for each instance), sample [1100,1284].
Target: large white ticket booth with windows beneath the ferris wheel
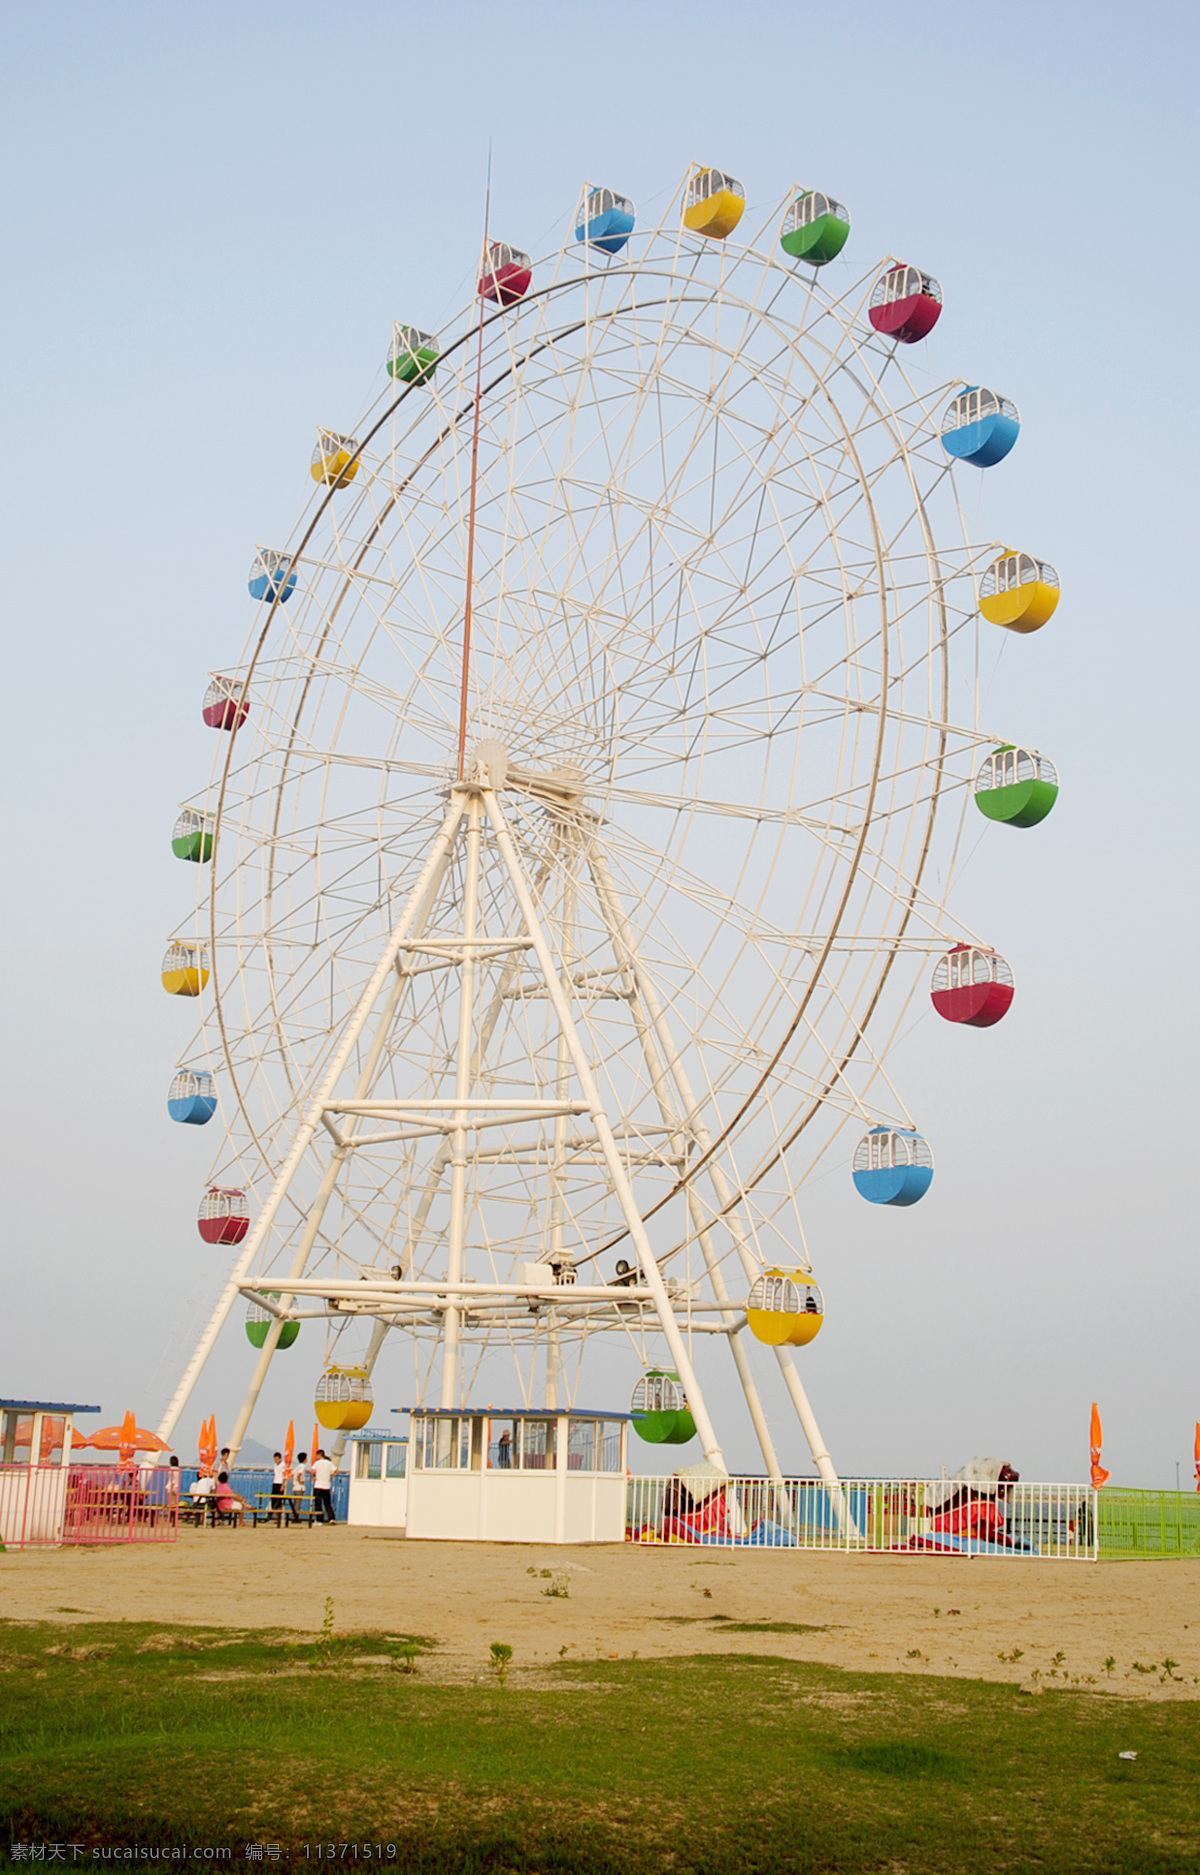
[517,1475]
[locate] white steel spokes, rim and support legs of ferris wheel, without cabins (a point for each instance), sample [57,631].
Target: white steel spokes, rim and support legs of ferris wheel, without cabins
[867,593]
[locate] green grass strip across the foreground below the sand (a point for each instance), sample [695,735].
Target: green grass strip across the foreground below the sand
[736,1765]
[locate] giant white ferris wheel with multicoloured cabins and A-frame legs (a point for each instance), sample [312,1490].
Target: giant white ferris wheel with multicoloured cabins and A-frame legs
[582,817]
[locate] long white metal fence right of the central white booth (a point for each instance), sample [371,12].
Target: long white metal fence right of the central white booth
[935,1516]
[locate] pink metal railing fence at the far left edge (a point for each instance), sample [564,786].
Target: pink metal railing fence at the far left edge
[87,1505]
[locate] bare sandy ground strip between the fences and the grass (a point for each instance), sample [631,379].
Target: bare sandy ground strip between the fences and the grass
[940,1615]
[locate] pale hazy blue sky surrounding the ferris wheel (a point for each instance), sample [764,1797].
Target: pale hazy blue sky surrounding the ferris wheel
[213,218]
